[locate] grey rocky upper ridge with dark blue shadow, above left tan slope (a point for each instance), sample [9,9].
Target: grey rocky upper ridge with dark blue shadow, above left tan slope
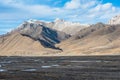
[47,36]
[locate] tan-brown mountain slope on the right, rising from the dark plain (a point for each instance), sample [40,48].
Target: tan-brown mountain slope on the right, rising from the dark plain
[98,39]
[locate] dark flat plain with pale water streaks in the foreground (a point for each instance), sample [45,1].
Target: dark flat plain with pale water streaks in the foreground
[60,68]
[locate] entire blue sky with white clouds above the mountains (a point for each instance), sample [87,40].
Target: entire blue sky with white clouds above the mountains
[15,12]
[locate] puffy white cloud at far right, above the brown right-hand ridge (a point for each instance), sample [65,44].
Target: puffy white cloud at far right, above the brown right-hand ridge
[103,11]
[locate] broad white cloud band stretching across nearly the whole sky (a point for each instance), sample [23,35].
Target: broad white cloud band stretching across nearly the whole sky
[88,11]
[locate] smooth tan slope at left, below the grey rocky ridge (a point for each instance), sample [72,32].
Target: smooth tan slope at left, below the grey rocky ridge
[18,45]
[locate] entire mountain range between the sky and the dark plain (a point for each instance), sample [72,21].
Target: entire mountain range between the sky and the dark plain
[62,38]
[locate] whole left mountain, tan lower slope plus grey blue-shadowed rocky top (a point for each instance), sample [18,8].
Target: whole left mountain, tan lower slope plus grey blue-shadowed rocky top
[31,38]
